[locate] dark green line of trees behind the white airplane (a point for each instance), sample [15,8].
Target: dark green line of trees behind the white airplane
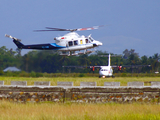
[52,62]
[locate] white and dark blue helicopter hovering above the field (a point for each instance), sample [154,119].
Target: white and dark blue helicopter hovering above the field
[67,44]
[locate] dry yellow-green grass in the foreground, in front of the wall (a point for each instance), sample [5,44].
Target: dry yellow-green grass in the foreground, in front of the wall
[73,111]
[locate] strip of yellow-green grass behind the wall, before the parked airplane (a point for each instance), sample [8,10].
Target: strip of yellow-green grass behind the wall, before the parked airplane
[76,80]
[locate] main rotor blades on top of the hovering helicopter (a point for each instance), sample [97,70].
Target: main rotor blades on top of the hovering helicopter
[71,30]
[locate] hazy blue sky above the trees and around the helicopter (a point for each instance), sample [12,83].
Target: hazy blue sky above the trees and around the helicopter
[130,24]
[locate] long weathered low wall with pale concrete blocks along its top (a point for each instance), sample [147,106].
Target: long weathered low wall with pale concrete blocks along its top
[87,92]
